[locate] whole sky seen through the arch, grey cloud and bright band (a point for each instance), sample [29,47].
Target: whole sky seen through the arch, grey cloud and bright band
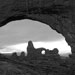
[16,34]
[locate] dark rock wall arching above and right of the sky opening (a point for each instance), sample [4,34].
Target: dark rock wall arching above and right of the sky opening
[58,14]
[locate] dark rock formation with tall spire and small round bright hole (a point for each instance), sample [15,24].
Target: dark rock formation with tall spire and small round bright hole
[35,53]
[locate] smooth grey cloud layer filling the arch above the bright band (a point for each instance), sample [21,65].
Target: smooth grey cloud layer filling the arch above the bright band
[23,31]
